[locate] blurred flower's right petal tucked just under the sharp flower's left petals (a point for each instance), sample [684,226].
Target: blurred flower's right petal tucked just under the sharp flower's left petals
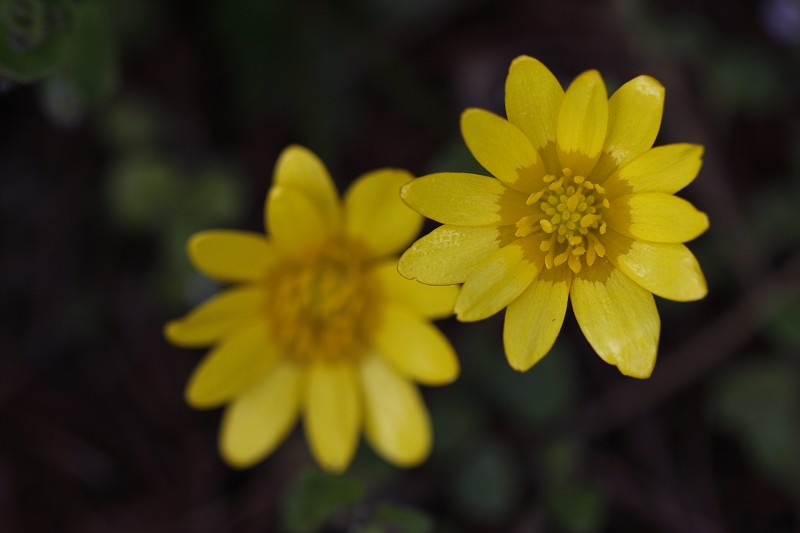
[426,300]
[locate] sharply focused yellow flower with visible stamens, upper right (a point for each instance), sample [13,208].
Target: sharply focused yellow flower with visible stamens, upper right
[582,209]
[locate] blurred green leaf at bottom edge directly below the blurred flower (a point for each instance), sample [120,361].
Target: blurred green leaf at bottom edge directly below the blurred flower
[314,497]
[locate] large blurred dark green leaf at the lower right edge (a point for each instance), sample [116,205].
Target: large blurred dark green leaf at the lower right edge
[759,402]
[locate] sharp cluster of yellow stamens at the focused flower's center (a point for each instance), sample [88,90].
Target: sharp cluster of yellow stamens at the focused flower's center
[570,215]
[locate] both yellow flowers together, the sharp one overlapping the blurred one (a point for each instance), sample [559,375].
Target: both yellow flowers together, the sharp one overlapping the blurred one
[322,319]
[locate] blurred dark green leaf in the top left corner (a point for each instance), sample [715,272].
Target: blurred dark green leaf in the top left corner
[34,35]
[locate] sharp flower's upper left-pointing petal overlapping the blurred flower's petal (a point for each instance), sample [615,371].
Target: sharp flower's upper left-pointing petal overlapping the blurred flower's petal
[465,199]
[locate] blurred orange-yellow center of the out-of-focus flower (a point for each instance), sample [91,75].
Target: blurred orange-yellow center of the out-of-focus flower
[322,305]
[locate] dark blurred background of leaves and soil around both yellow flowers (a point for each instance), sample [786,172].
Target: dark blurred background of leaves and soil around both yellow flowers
[128,125]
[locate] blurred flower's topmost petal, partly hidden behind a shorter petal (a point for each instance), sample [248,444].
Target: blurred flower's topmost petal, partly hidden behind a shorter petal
[299,169]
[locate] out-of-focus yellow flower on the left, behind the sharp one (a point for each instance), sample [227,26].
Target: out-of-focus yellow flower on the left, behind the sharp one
[319,322]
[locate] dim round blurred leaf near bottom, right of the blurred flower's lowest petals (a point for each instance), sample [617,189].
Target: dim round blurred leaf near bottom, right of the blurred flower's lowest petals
[487,484]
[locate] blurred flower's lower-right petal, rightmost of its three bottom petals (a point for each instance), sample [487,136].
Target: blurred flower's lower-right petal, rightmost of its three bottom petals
[396,420]
